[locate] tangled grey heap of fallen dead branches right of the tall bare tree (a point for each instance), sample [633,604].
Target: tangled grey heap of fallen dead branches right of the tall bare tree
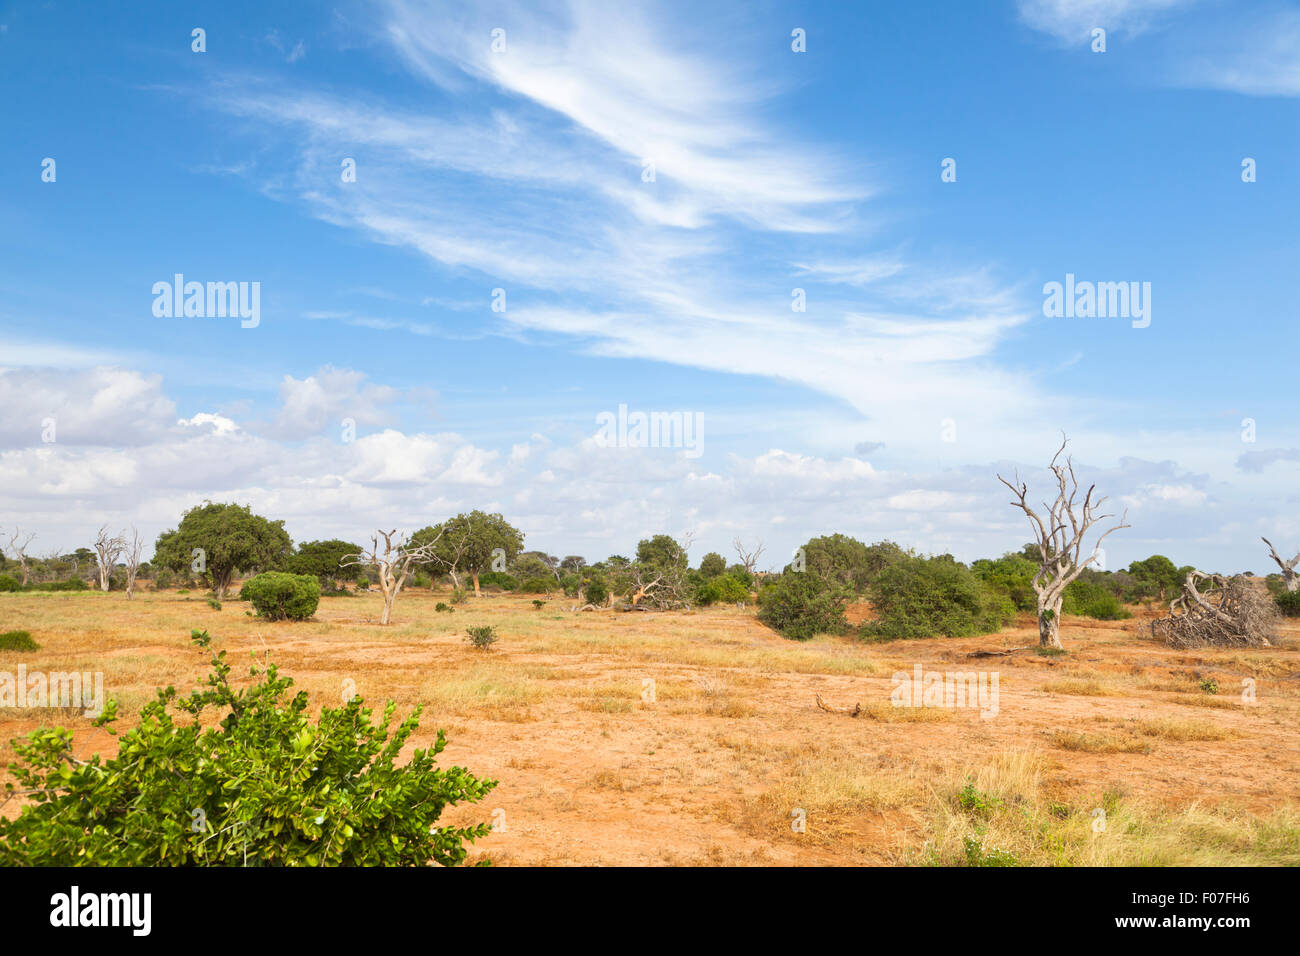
[1216,611]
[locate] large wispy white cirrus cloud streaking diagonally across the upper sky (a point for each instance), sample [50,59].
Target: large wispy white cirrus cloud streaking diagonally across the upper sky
[540,188]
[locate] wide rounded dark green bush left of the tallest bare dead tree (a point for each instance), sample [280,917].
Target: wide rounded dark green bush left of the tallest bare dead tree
[930,598]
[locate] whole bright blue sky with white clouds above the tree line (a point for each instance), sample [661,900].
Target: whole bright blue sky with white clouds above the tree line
[922,365]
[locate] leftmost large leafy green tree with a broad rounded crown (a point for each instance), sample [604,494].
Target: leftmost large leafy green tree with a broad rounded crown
[218,540]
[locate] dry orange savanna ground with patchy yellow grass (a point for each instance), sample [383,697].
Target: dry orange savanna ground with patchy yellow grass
[692,738]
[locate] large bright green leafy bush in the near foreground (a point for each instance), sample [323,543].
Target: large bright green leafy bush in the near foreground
[266,786]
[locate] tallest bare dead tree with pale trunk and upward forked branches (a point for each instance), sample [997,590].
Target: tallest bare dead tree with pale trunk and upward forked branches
[1060,539]
